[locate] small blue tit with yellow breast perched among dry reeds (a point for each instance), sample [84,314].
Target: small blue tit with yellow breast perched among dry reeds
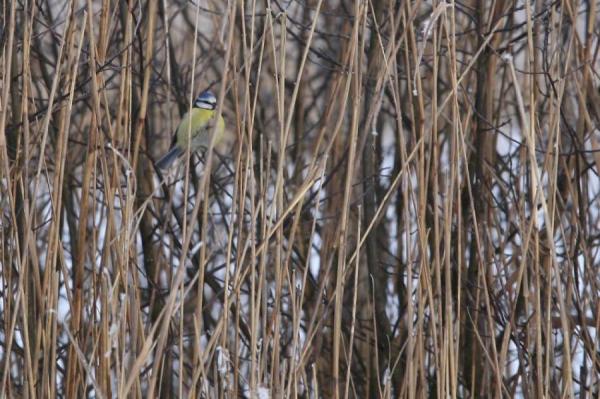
[202,119]
